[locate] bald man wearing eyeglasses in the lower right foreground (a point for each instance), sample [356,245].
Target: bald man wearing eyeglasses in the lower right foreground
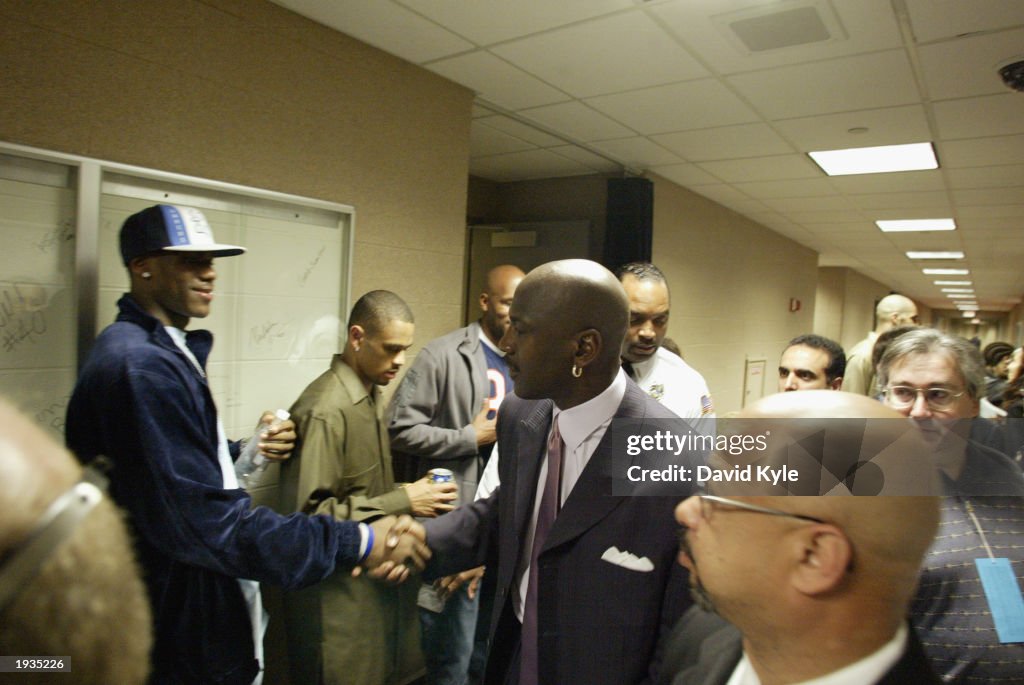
[794,589]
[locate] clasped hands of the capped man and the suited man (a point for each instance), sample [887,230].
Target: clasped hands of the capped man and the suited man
[400,547]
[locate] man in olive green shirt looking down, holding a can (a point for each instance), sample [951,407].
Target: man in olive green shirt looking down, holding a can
[356,630]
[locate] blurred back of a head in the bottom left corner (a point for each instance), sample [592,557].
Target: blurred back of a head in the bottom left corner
[76,593]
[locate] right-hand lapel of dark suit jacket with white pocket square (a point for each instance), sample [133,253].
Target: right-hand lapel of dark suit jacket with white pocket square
[591,499]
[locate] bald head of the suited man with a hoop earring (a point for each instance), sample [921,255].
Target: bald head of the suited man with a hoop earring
[569,318]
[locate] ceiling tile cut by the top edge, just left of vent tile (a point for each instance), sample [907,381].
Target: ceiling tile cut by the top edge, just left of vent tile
[487,22]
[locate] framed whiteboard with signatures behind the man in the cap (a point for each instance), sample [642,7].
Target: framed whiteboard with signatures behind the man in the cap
[279,313]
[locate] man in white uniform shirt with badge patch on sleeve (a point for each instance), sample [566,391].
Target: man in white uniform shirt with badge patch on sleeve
[660,373]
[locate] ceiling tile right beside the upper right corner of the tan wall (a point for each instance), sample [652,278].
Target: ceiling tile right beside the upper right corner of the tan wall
[498,81]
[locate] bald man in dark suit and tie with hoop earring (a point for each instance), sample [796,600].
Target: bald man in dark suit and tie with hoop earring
[585,581]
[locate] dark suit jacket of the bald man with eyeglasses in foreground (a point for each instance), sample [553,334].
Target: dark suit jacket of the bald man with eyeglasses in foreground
[705,650]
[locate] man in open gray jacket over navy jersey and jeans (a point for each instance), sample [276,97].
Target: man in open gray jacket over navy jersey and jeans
[444,415]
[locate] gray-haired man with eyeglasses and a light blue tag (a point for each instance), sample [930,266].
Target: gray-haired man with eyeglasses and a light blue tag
[937,380]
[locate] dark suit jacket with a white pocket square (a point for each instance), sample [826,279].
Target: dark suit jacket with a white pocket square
[599,623]
